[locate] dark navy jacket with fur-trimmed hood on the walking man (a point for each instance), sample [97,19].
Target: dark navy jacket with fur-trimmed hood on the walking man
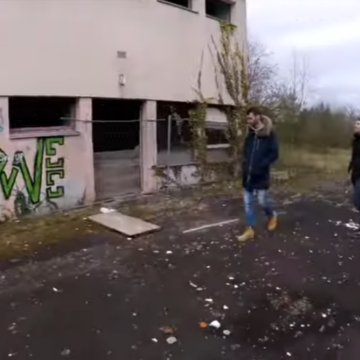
[260,151]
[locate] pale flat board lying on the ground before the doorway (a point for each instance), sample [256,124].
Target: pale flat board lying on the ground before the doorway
[124,224]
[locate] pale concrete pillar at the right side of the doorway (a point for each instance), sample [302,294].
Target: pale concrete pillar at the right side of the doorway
[148,147]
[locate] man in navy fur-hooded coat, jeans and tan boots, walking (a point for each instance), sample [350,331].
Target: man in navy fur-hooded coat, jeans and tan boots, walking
[259,153]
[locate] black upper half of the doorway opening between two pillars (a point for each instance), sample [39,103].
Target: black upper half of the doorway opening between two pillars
[116,124]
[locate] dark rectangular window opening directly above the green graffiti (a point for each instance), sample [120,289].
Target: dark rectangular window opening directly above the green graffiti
[39,112]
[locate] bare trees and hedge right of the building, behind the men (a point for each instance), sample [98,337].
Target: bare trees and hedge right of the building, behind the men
[299,121]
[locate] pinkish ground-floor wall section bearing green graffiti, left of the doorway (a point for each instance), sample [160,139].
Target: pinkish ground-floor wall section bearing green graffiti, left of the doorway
[44,171]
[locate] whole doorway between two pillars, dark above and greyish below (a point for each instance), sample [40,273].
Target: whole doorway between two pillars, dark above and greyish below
[116,140]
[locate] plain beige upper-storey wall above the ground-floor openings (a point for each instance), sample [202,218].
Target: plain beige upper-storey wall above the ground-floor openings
[70,48]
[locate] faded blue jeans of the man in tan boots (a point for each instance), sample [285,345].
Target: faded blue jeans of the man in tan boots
[263,200]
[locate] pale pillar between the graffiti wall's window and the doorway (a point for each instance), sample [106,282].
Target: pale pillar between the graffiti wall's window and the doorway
[83,124]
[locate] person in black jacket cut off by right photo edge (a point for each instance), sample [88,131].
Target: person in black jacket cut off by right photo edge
[354,165]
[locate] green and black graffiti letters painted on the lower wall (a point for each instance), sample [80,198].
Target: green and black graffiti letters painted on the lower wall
[45,160]
